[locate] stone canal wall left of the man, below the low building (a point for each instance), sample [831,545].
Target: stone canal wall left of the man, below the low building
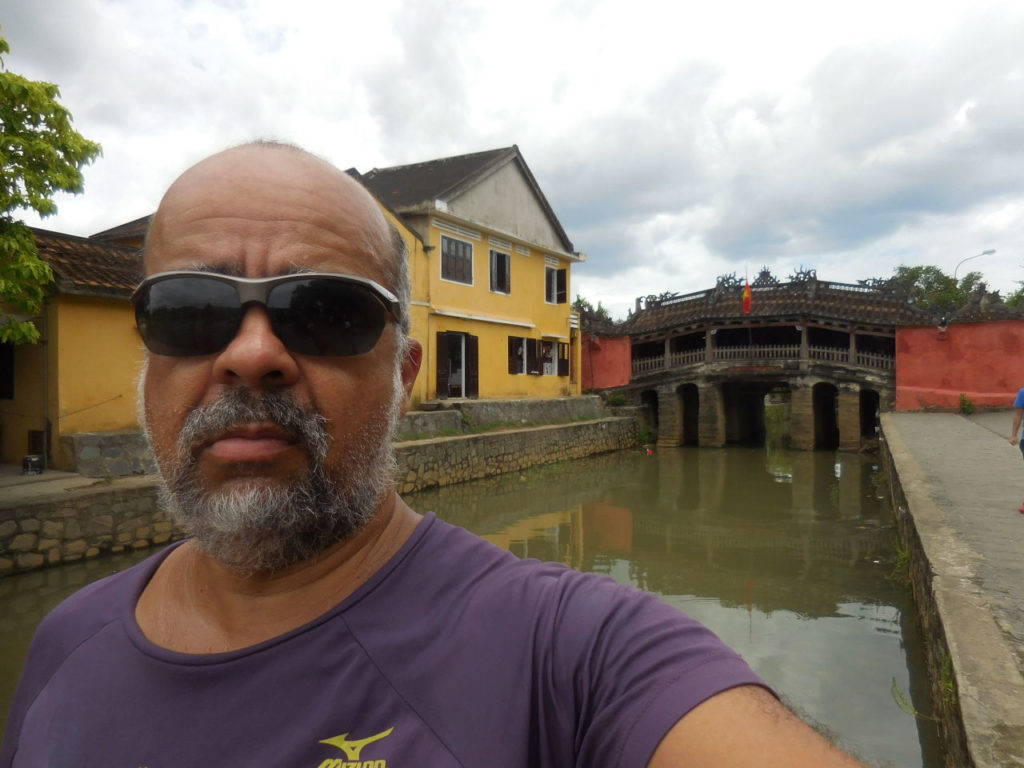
[83,524]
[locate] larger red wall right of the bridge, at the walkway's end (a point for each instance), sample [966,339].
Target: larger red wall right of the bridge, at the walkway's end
[985,361]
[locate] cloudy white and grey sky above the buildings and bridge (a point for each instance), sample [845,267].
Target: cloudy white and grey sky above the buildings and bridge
[675,141]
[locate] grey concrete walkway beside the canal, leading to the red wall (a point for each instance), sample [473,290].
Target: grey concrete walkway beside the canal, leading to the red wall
[964,484]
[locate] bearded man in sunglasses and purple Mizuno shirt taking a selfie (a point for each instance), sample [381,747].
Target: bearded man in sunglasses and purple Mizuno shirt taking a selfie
[314,620]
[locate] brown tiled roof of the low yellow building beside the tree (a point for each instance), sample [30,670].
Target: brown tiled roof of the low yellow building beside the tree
[83,266]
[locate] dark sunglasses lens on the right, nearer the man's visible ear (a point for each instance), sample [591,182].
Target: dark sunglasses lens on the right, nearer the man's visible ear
[326,317]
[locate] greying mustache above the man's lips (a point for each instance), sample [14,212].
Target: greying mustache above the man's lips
[240,407]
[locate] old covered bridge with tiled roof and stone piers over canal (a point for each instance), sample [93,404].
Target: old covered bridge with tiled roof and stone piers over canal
[705,363]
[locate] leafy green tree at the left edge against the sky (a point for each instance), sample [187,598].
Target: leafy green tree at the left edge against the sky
[40,155]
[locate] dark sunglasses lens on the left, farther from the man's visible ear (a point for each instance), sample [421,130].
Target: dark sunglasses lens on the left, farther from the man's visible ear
[188,316]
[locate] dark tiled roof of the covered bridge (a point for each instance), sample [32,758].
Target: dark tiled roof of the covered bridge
[812,300]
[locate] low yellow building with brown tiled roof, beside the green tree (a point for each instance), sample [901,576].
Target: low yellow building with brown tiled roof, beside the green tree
[81,377]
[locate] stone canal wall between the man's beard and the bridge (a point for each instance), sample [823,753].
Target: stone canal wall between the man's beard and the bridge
[446,461]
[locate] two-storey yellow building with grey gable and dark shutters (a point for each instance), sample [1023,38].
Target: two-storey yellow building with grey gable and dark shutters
[491,268]
